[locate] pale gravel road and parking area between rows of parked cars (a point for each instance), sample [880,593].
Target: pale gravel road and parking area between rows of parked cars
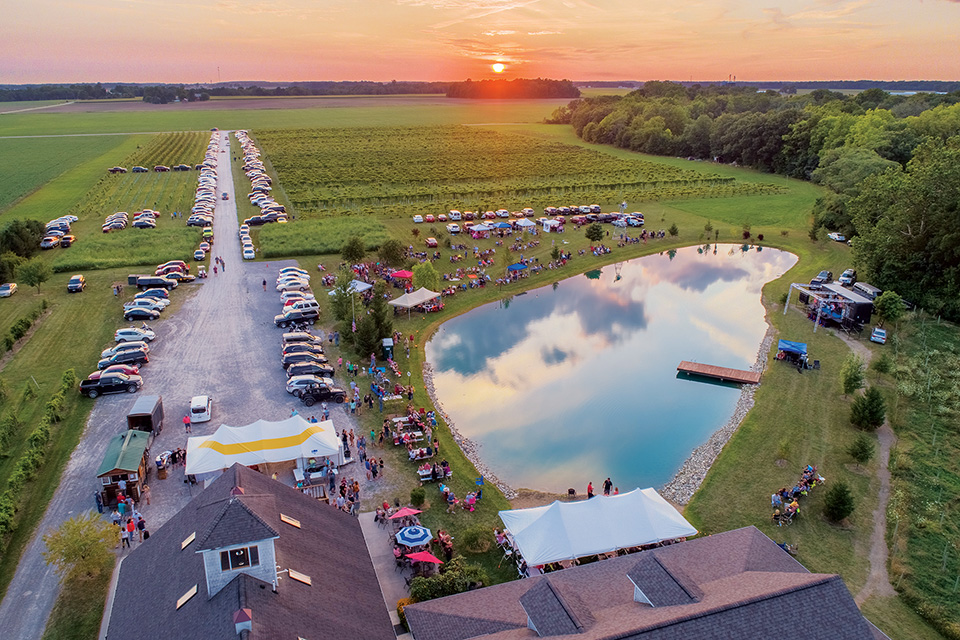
[222,342]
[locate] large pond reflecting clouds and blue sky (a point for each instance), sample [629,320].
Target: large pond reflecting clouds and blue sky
[577,381]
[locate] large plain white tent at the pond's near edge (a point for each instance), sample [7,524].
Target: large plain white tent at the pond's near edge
[568,530]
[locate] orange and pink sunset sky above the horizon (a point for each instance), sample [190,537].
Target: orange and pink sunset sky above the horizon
[287,40]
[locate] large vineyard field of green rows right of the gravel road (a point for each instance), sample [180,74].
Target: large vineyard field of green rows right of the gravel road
[400,171]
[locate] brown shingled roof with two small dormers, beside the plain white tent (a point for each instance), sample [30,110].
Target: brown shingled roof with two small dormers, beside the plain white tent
[729,585]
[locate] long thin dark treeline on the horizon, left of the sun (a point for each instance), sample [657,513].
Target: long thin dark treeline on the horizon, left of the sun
[162,93]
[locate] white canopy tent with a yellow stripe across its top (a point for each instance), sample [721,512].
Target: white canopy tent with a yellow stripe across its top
[263,442]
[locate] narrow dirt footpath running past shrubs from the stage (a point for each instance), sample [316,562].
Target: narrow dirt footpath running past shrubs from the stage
[878,580]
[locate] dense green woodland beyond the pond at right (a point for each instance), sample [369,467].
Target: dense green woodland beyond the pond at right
[890,163]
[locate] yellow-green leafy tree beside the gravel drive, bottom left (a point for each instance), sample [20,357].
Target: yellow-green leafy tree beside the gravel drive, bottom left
[80,546]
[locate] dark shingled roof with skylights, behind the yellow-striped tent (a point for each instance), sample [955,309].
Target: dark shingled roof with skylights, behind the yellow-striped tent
[343,601]
